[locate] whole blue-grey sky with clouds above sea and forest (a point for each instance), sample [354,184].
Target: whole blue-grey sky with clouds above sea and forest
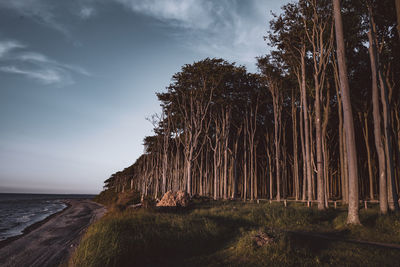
[79,78]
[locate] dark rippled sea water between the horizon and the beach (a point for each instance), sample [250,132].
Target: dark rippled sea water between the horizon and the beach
[19,211]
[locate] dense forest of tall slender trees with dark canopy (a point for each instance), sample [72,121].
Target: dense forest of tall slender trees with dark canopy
[320,121]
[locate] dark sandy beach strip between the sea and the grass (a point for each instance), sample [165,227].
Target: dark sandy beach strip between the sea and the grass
[49,243]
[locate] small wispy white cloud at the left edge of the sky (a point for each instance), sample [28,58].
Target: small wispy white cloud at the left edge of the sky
[35,65]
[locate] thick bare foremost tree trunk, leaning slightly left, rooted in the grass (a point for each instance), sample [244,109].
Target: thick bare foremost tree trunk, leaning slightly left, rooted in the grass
[352,217]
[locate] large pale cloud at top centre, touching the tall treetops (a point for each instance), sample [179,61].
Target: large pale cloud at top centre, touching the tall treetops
[232,29]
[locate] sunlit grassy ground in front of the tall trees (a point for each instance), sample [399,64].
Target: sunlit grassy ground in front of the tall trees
[221,233]
